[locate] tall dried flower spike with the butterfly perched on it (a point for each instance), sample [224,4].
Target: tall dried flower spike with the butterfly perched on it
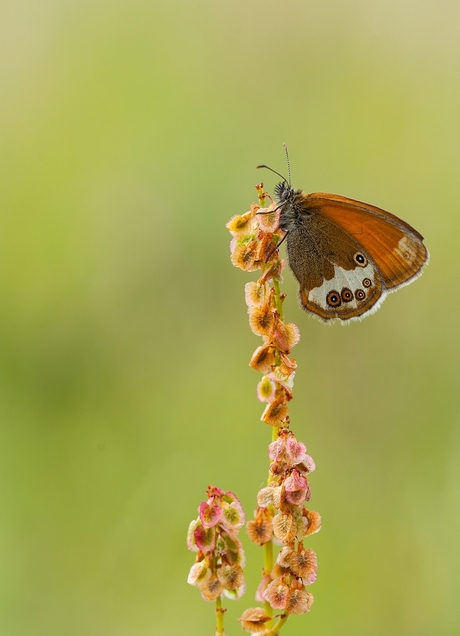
[281,513]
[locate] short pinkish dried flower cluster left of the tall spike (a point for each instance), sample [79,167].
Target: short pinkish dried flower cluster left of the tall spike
[220,559]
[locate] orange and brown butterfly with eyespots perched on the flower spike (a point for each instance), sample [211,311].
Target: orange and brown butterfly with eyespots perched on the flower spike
[346,255]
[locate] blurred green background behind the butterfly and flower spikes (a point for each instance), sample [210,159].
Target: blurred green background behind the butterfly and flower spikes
[130,132]
